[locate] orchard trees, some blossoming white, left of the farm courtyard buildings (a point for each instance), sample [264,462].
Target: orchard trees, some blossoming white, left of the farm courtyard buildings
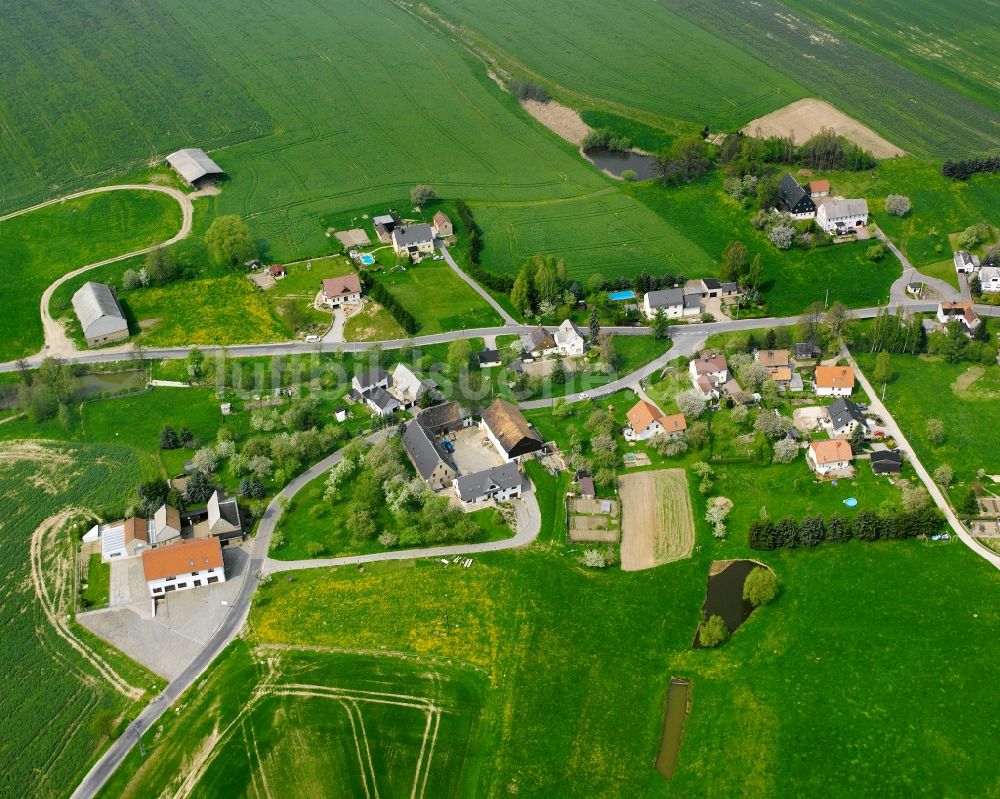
[378,498]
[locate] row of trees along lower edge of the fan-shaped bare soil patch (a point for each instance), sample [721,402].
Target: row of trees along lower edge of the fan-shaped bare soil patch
[826,150]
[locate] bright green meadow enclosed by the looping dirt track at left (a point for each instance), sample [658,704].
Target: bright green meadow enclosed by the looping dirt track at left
[43,245]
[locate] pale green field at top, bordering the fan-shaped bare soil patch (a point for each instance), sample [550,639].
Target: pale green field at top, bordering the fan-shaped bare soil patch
[632,55]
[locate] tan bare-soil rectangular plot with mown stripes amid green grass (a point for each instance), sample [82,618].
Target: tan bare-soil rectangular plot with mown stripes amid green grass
[657,522]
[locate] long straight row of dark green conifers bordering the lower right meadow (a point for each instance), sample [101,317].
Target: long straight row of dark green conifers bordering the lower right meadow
[865,526]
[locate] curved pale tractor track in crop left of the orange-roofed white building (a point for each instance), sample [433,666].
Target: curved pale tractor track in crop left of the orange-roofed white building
[52,579]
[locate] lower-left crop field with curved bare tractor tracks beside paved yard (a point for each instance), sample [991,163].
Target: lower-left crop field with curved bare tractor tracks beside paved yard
[53,695]
